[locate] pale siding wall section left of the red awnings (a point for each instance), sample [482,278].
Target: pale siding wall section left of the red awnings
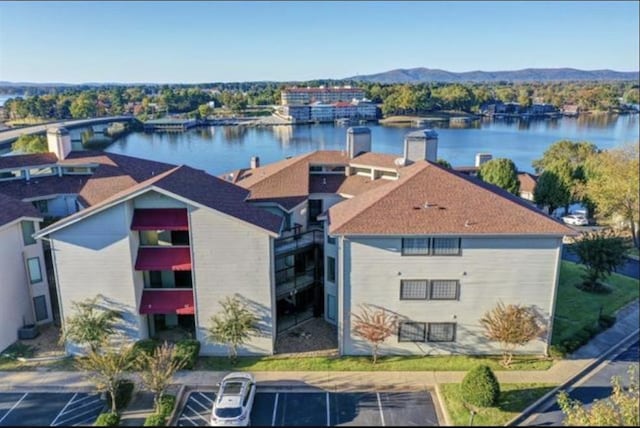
[94,256]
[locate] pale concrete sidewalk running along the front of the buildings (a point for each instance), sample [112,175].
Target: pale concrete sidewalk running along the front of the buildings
[626,325]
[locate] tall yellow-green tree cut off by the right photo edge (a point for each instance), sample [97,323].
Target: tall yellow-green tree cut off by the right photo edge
[613,185]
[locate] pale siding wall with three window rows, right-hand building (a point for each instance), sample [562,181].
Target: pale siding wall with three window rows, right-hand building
[513,270]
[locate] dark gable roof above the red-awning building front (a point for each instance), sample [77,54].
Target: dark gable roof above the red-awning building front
[194,185]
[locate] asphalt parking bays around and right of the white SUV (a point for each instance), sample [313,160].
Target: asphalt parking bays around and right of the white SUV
[323,409]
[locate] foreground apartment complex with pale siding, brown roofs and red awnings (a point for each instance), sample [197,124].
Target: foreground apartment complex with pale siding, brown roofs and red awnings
[312,236]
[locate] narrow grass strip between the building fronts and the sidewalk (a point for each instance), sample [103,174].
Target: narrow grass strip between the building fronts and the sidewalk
[406,363]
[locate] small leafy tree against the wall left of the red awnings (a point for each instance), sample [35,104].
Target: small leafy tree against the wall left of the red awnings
[90,324]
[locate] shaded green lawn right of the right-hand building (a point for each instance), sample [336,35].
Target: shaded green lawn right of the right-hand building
[576,309]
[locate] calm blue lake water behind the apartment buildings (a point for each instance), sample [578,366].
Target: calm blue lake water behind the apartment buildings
[221,149]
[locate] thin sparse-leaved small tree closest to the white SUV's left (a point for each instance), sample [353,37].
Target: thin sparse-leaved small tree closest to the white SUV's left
[157,370]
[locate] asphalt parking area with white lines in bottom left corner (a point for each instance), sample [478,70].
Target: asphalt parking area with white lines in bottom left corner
[49,408]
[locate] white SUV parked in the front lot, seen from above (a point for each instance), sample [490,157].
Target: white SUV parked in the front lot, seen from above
[234,401]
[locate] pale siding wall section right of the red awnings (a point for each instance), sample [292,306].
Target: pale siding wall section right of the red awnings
[231,258]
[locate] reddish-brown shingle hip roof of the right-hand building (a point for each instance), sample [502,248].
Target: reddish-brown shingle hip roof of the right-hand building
[457,205]
